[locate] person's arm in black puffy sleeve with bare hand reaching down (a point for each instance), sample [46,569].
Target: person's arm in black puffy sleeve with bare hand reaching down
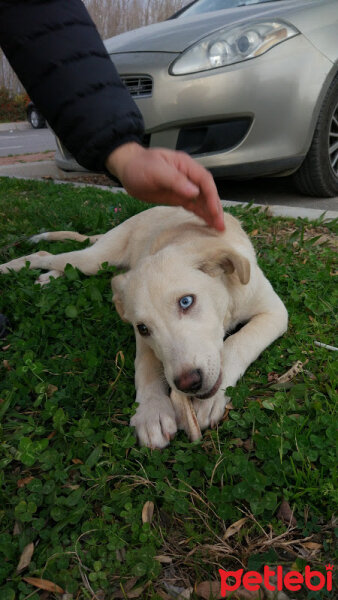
[55,49]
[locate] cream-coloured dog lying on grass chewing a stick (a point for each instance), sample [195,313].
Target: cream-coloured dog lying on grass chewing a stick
[187,287]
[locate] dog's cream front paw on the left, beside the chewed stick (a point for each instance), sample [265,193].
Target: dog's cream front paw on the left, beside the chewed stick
[155,422]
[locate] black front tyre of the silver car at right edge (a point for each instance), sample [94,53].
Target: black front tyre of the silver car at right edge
[318,174]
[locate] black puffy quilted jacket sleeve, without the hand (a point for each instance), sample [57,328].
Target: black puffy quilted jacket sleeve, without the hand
[57,53]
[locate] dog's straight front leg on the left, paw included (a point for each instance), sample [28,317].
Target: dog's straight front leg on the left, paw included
[154,419]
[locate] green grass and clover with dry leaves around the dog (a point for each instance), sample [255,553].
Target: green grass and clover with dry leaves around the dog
[74,482]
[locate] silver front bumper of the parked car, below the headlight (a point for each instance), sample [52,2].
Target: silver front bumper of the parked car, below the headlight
[274,99]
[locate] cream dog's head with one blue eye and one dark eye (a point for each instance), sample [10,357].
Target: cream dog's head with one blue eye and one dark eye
[179,303]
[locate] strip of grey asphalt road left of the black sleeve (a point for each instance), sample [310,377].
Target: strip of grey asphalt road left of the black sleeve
[26,141]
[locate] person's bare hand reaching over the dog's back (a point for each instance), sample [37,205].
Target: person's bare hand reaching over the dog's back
[162,176]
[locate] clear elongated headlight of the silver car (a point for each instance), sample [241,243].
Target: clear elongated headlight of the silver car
[231,45]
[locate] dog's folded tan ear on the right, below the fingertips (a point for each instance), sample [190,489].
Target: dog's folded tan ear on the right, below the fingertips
[227,261]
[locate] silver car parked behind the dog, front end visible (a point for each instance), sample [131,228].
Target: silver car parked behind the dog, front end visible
[247,87]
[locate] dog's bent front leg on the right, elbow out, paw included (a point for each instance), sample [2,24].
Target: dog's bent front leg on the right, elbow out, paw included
[239,351]
